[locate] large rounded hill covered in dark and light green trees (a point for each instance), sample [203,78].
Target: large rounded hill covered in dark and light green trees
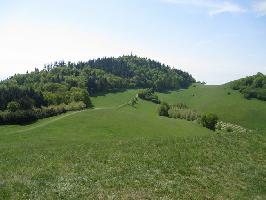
[62,86]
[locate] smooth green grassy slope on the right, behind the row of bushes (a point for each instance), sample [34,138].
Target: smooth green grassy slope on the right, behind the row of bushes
[231,108]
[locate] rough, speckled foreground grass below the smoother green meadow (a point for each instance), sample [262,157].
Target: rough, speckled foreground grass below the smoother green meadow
[216,167]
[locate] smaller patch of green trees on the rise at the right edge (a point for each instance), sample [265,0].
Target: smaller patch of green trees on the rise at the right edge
[251,86]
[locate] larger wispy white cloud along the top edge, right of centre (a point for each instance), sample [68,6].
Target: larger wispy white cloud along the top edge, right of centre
[213,7]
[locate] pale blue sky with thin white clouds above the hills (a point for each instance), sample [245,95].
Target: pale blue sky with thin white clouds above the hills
[214,40]
